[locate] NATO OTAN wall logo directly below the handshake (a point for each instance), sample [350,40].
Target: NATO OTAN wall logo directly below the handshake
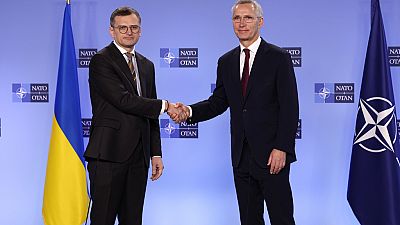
[169,129]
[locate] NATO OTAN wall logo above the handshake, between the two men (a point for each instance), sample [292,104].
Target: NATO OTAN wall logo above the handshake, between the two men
[179,57]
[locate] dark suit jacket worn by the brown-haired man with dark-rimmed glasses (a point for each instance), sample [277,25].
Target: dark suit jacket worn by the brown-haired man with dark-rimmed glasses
[120,117]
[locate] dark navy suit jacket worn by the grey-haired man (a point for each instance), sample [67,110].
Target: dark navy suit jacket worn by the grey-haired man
[268,114]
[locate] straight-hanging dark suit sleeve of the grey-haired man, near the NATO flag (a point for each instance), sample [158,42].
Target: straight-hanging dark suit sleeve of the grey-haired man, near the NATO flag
[288,106]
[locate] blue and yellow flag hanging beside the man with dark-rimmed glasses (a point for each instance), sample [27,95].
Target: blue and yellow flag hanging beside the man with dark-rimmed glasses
[65,199]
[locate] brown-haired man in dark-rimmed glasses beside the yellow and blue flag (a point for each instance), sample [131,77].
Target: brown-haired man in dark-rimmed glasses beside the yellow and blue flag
[125,131]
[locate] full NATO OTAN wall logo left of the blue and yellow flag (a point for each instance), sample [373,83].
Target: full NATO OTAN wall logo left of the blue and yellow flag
[30,92]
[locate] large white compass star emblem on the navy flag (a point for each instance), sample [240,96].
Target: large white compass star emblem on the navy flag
[378,133]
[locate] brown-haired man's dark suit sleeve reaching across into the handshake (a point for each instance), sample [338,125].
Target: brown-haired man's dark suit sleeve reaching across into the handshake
[105,80]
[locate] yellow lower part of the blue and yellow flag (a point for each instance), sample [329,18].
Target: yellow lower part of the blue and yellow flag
[65,198]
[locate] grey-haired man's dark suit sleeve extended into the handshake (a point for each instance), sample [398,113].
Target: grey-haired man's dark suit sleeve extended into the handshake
[215,105]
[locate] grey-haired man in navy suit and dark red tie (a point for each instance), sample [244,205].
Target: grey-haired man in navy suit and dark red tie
[257,82]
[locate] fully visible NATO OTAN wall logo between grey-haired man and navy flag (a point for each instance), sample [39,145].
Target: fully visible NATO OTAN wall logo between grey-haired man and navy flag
[334,92]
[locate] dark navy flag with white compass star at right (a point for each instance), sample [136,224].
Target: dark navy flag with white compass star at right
[374,180]
